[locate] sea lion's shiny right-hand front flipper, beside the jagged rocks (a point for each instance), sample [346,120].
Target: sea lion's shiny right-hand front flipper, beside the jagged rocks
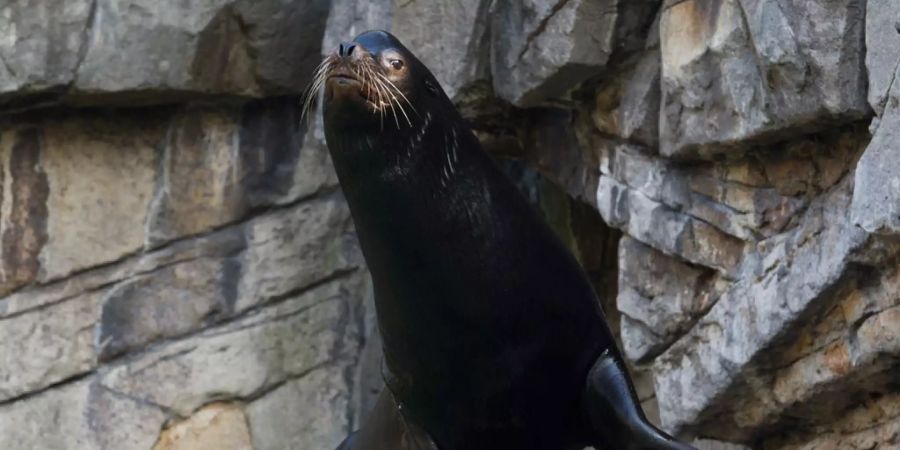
[615,414]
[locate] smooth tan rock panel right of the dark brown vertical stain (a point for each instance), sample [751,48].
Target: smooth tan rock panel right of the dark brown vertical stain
[101,171]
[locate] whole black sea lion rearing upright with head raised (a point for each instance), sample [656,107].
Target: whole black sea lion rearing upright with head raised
[493,336]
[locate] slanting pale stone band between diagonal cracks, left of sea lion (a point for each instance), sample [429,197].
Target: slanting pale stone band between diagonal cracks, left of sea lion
[75,326]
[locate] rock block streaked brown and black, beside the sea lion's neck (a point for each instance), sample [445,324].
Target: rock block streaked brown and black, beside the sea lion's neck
[220,163]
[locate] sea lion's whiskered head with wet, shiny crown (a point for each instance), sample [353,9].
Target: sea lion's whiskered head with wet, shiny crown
[374,83]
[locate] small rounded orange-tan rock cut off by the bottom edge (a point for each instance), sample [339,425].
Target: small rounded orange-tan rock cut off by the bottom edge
[219,426]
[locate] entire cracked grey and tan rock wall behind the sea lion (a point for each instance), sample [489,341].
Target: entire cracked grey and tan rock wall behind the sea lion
[178,268]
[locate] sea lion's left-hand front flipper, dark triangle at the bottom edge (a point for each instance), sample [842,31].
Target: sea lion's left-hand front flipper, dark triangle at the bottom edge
[387,428]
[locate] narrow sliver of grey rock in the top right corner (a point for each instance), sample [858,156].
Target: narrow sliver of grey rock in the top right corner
[882,49]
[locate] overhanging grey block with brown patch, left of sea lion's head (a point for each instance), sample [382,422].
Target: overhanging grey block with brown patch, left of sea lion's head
[216,47]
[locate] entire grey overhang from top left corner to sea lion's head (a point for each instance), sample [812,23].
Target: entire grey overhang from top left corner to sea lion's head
[157,51]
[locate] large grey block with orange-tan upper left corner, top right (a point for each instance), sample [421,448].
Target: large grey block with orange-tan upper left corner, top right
[738,72]
